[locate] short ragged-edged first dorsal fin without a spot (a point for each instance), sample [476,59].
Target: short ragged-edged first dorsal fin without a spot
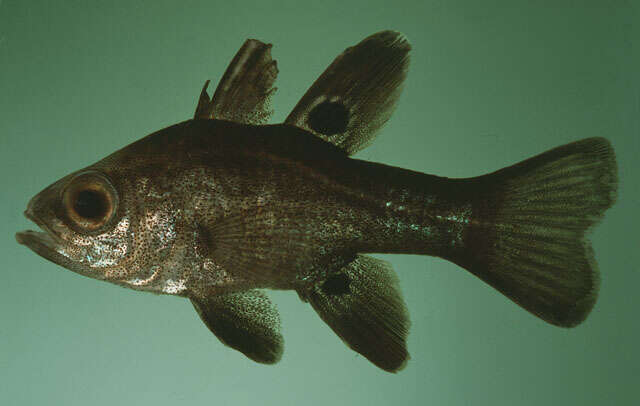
[244,92]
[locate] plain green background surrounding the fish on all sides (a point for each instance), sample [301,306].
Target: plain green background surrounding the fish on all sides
[491,83]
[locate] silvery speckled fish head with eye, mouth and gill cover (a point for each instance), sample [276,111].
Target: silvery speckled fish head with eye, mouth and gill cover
[132,218]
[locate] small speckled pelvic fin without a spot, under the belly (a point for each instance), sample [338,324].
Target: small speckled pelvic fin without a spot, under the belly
[245,321]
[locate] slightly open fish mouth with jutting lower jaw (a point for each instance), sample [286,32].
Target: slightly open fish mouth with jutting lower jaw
[44,243]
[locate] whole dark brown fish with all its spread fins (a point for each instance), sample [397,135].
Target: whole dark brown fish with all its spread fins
[223,207]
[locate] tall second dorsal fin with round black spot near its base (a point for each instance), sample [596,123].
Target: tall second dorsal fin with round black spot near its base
[357,93]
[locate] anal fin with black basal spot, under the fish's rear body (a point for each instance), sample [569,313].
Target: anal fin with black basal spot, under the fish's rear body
[363,305]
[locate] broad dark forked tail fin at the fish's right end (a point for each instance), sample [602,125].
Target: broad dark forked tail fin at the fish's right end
[528,235]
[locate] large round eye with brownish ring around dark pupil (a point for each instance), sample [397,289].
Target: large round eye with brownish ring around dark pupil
[89,201]
